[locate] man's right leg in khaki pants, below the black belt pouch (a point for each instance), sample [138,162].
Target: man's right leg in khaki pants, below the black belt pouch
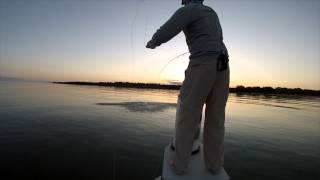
[214,129]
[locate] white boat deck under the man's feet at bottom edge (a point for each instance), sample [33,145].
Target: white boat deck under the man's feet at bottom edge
[196,171]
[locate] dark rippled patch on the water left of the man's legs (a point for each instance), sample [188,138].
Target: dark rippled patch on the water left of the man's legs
[142,106]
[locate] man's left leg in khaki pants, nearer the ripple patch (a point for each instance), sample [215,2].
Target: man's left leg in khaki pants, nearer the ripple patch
[193,93]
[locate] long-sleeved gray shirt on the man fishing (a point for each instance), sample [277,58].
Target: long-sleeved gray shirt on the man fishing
[201,27]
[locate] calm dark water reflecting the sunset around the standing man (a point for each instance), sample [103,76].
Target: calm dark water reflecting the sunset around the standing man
[51,131]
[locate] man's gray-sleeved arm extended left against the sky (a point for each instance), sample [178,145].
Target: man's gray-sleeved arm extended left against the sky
[179,20]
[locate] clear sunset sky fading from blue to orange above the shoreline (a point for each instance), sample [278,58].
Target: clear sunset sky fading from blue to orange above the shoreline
[271,43]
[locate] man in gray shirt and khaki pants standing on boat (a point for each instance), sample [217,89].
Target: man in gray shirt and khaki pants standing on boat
[206,82]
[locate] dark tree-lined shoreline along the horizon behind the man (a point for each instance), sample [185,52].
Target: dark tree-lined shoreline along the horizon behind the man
[239,89]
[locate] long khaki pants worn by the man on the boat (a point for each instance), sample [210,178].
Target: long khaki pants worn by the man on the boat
[203,84]
